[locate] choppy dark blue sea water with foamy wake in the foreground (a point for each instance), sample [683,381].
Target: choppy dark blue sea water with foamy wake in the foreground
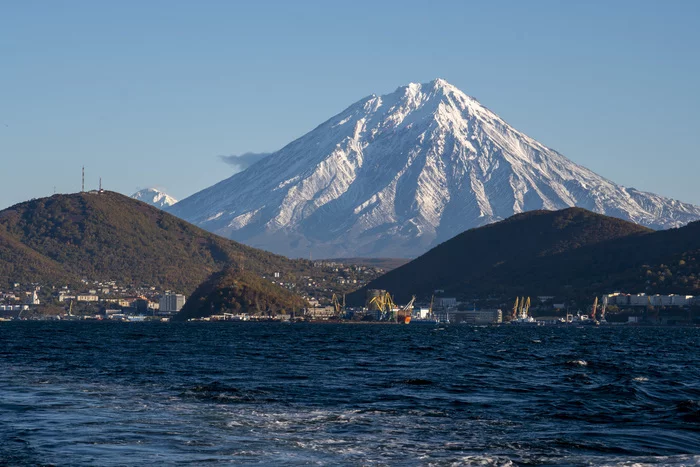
[76,393]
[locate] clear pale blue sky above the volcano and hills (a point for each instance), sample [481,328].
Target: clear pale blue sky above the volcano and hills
[151,93]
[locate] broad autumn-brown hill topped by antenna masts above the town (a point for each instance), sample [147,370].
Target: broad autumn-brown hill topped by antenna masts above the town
[108,236]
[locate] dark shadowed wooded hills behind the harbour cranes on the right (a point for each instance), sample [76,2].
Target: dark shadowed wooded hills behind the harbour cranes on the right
[566,253]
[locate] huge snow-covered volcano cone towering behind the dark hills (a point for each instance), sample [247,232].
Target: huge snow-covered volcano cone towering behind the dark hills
[394,175]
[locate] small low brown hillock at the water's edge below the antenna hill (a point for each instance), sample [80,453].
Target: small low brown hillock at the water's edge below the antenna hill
[235,291]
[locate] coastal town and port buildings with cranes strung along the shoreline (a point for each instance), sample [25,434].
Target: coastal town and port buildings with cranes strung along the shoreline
[108,300]
